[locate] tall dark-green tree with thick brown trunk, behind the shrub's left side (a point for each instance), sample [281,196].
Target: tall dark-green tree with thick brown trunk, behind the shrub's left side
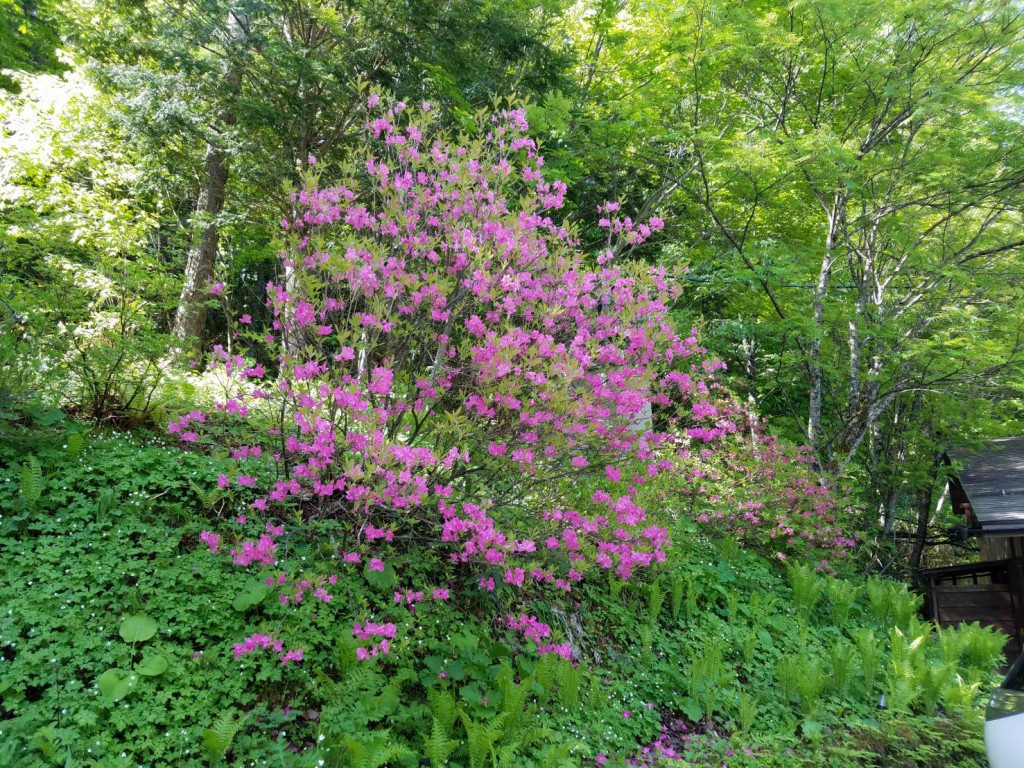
[278,82]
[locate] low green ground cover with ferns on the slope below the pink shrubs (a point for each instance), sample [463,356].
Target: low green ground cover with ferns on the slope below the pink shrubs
[723,659]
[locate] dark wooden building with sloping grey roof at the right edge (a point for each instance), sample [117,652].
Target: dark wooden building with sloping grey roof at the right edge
[990,492]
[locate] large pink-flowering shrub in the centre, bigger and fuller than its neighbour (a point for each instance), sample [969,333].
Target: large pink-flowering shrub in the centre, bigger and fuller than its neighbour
[453,369]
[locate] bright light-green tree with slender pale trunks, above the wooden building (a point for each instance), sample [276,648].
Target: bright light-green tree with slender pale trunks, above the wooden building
[860,165]
